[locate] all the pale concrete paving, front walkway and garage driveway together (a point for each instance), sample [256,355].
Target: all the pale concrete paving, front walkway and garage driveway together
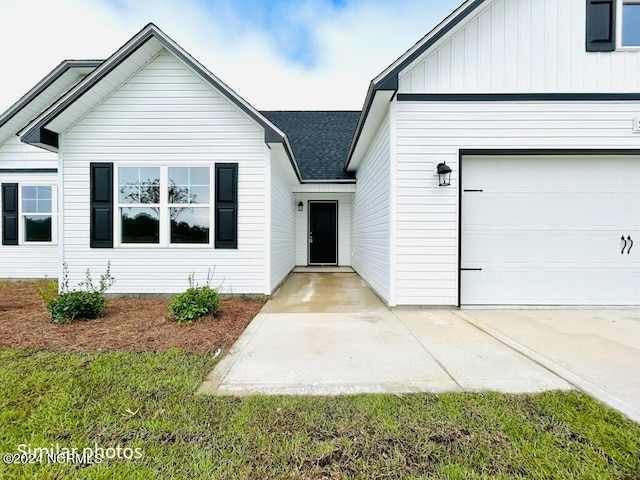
[328,334]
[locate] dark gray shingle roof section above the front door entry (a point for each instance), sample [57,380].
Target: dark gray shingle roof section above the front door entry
[320,140]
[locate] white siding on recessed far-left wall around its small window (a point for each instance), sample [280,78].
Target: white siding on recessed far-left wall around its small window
[32,260]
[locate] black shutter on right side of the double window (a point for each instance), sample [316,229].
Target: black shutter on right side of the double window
[226,207]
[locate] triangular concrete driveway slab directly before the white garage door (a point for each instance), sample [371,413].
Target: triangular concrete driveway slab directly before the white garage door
[597,351]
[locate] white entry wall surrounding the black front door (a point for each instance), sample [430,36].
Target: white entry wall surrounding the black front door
[344,225]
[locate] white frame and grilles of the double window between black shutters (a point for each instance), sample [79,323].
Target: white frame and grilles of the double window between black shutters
[165,223]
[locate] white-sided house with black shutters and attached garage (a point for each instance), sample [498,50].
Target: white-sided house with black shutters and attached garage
[163,170]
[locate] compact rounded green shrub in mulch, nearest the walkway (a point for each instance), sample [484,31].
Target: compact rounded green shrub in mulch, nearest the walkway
[196,302]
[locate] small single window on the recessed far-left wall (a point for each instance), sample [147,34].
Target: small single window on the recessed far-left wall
[37,213]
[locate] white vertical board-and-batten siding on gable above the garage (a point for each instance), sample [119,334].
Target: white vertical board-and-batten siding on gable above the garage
[514,46]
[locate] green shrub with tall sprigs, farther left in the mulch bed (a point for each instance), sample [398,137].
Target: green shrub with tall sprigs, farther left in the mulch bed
[87,303]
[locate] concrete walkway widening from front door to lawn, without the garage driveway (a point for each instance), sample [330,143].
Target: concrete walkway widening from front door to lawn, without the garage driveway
[327,334]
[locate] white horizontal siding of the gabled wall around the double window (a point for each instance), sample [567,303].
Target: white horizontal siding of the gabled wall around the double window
[165,114]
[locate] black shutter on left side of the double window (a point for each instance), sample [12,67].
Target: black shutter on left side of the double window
[101,227]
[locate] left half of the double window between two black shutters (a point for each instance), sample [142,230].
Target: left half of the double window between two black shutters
[139,209]
